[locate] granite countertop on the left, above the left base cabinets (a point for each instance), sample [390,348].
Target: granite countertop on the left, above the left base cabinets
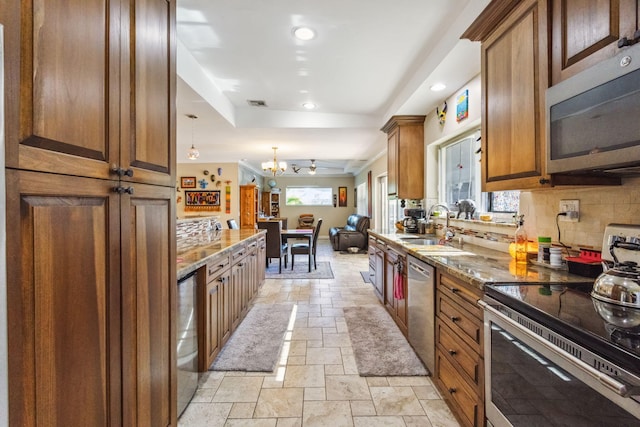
[193,253]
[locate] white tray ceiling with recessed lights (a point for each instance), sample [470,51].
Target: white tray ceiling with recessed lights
[371,59]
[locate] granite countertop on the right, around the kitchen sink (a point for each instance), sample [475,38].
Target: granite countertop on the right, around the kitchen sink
[477,265]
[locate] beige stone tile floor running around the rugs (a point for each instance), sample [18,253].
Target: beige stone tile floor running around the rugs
[316,382]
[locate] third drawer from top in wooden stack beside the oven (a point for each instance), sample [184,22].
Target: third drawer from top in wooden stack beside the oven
[462,356]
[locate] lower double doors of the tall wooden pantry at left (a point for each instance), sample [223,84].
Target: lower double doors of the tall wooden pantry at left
[90,302]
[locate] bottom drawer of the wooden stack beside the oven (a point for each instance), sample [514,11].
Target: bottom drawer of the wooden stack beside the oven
[464,401]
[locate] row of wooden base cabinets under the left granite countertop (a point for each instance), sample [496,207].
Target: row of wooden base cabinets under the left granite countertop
[228,284]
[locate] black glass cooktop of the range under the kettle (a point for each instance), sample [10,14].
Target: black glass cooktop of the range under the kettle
[571,312]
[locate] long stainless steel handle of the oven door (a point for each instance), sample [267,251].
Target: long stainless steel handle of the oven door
[616,386]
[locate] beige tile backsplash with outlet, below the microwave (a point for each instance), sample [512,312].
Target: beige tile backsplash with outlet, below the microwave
[599,206]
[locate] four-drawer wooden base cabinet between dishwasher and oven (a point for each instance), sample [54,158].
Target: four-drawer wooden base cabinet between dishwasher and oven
[459,348]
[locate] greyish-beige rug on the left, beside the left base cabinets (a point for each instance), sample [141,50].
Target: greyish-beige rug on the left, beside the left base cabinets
[255,345]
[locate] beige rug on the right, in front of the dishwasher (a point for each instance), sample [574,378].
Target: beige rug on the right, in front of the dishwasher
[379,347]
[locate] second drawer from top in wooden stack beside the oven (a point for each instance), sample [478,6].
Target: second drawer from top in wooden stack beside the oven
[461,323]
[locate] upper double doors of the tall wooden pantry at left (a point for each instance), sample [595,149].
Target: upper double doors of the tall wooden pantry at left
[96,91]
